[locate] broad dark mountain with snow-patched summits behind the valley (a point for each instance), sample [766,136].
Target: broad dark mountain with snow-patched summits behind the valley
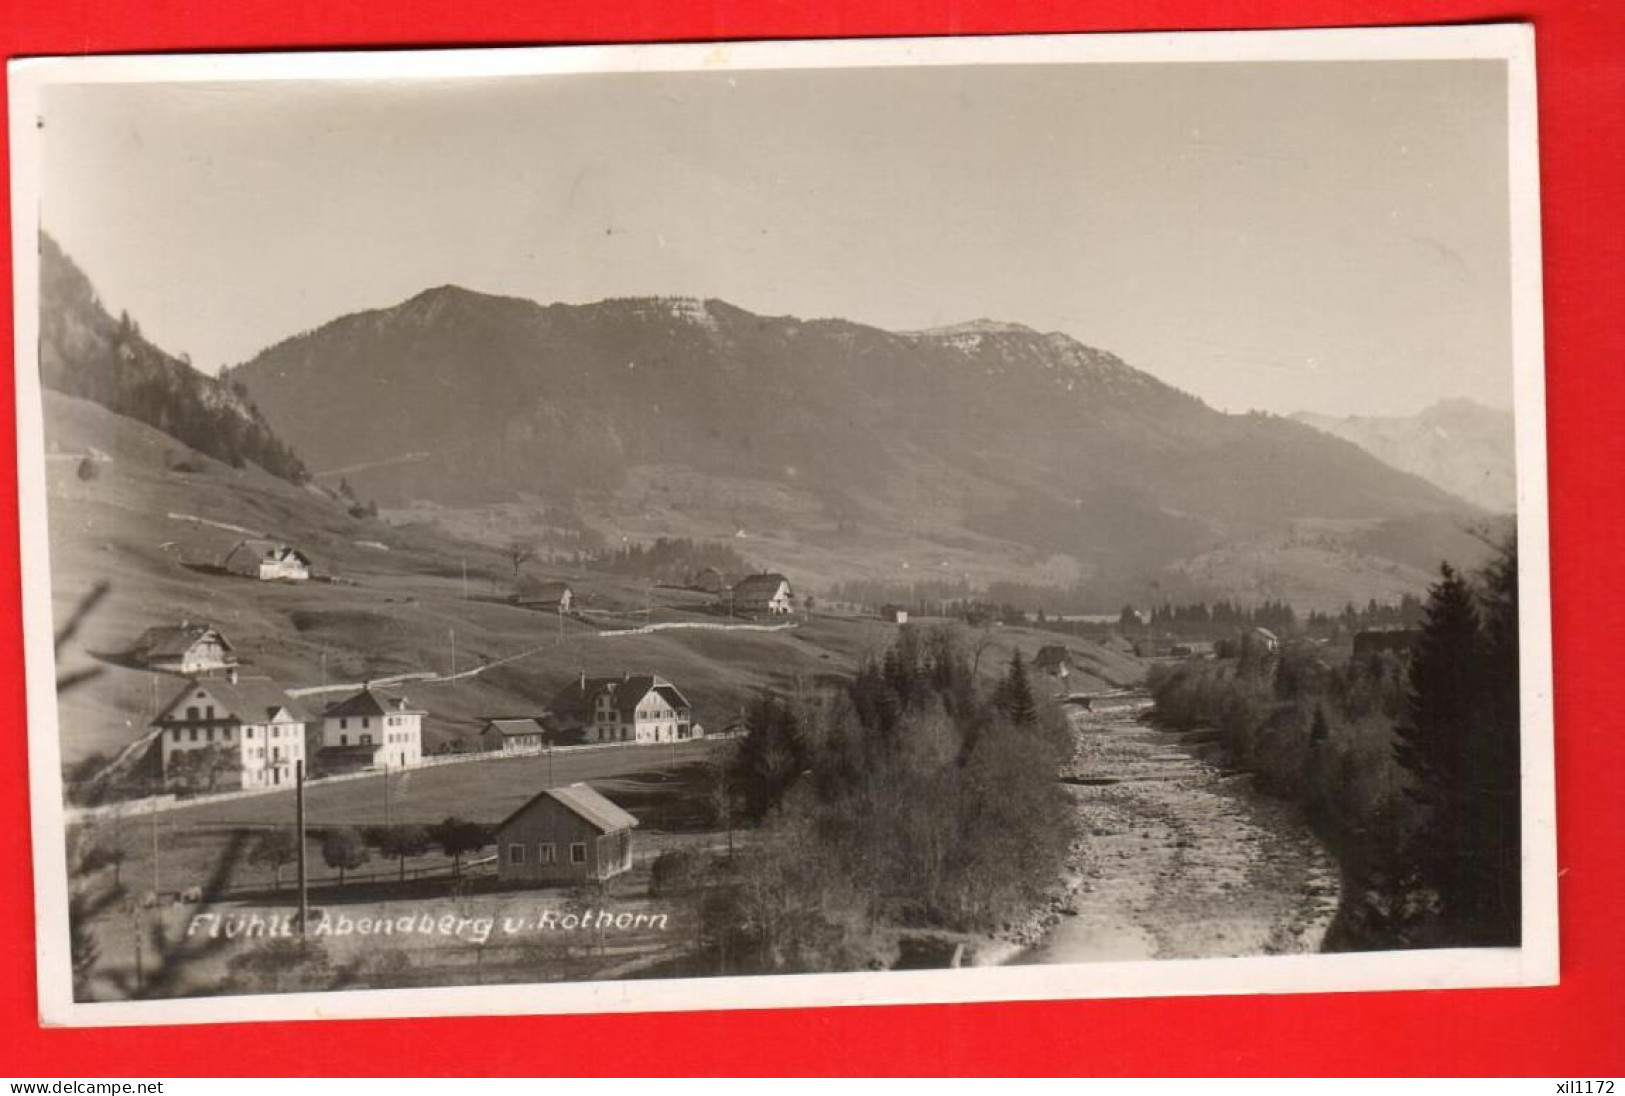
[839,432]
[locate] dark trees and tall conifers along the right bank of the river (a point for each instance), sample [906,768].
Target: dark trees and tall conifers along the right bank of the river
[1408,765]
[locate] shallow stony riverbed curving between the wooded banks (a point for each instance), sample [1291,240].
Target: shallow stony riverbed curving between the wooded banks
[1182,859]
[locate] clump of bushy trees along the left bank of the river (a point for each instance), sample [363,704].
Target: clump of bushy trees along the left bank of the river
[916,798]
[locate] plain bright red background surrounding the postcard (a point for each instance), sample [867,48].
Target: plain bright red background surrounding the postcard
[1575,1030]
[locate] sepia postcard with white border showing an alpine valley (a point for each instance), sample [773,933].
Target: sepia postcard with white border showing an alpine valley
[667,528]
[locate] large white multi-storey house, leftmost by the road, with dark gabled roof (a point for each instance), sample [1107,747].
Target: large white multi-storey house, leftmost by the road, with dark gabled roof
[225,734]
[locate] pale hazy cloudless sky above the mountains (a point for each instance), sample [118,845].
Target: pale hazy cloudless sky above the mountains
[1278,237]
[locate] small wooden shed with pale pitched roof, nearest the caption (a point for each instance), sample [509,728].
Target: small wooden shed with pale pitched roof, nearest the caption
[565,835]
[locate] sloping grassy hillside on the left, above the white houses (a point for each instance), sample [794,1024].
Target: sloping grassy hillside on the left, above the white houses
[149,521]
